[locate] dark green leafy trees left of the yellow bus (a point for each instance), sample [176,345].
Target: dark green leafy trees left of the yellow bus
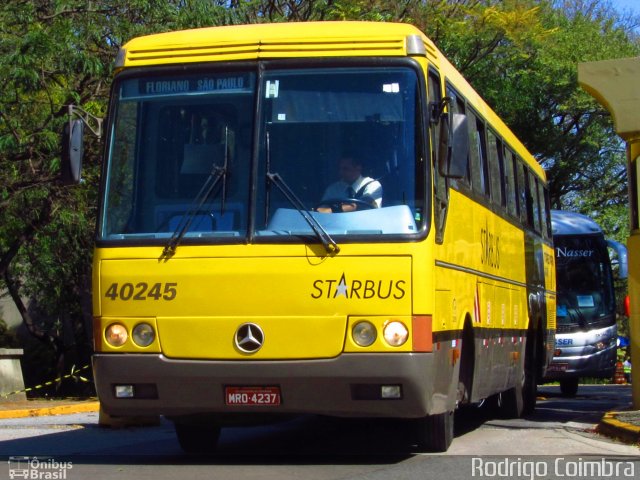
[53,54]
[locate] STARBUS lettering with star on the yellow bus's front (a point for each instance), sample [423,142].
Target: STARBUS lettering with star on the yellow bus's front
[364,289]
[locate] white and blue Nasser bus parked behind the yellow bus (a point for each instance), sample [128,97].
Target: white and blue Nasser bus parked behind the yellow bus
[586,332]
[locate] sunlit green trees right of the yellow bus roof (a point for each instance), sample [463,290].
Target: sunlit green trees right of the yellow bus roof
[522,56]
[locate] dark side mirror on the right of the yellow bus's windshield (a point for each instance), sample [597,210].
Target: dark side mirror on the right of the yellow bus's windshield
[453,151]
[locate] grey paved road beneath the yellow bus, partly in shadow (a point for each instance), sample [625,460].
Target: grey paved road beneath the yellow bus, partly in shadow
[561,431]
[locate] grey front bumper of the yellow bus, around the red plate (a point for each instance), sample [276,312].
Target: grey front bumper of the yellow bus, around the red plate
[347,386]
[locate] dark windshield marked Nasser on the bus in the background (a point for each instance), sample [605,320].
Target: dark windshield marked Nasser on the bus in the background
[584,281]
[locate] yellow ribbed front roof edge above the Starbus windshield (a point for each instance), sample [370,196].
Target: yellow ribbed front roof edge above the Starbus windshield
[270,40]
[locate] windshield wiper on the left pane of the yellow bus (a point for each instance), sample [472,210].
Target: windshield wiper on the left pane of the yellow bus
[217,173]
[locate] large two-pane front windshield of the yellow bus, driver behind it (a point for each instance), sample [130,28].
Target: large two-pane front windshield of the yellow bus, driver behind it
[226,156]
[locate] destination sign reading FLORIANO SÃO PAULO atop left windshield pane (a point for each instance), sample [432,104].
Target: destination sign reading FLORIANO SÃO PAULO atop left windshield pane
[154,87]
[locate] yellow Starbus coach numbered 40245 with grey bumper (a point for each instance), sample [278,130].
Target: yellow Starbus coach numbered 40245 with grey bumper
[314,218]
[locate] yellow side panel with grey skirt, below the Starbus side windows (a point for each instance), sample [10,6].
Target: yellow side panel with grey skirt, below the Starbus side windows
[484,254]
